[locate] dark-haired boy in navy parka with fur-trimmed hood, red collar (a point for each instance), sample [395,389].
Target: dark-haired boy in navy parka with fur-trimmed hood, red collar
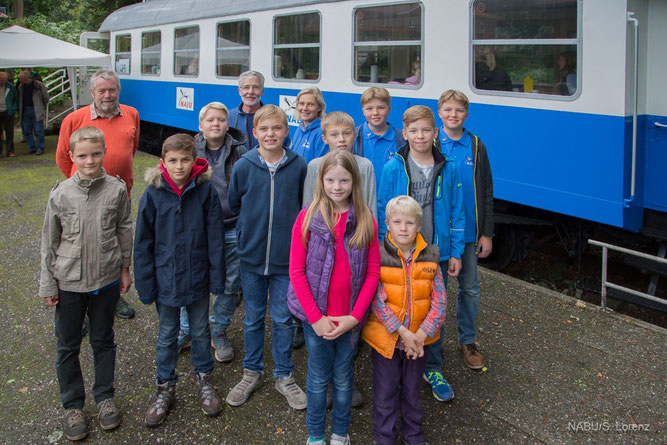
[179,261]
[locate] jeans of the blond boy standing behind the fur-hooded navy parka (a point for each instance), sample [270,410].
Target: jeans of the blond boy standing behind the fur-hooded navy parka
[223,305]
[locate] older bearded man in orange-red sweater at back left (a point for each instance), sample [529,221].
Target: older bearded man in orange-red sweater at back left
[120,124]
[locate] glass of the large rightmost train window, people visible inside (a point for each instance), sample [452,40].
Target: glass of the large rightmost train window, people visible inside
[526,47]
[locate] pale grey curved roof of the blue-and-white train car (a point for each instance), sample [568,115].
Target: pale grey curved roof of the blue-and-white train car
[162,12]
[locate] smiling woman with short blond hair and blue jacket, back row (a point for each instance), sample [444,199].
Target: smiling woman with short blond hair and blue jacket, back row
[307,140]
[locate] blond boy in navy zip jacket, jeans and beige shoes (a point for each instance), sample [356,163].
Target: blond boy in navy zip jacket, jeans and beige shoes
[265,191]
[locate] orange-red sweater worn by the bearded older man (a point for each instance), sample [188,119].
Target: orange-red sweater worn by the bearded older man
[121,134]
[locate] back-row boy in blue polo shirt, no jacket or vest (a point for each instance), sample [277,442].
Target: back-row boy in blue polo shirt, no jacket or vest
[377,140]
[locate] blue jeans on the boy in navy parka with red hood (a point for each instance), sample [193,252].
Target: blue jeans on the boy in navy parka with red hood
[166,350]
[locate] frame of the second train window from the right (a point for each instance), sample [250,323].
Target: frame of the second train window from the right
[420,42]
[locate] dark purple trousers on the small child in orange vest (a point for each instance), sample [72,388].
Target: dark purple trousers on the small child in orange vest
[397,389]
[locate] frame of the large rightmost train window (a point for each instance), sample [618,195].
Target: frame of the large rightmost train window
[576,41]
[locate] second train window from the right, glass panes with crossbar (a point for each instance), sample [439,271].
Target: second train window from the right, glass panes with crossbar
[388,44]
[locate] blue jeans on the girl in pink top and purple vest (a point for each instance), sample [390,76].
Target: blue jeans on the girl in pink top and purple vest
[329,360]
